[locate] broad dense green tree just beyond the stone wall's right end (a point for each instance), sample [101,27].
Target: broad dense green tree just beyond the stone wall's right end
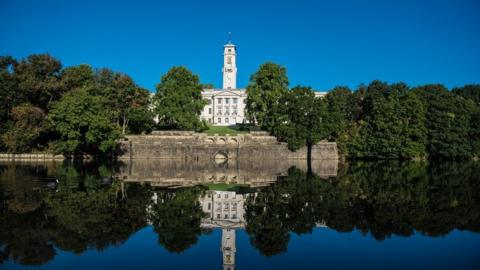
[392,124]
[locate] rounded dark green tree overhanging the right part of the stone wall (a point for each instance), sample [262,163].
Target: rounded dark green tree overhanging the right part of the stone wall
[302,118]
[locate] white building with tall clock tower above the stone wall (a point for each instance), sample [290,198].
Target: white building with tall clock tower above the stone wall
[226,106]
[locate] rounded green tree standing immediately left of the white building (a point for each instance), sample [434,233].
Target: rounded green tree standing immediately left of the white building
[178,101]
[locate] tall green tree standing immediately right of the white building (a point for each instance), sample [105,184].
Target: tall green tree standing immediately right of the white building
[266,87]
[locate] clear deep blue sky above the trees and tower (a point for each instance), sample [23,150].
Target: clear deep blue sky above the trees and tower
[321,43]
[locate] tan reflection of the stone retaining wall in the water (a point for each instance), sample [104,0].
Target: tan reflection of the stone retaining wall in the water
[254,173]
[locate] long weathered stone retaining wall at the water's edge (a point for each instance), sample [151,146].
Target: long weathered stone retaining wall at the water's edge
[197,146]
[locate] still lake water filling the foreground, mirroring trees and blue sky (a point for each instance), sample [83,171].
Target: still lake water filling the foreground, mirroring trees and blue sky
[240,215]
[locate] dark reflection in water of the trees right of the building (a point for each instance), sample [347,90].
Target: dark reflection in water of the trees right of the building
[418,198]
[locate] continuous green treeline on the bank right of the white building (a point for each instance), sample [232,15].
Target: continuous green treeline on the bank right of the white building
[376,121]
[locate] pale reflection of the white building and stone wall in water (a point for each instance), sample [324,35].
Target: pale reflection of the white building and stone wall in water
[224,208]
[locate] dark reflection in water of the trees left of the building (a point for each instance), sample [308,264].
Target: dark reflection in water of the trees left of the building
[89,209]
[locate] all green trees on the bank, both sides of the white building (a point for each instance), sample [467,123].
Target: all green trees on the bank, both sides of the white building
[79,110]
